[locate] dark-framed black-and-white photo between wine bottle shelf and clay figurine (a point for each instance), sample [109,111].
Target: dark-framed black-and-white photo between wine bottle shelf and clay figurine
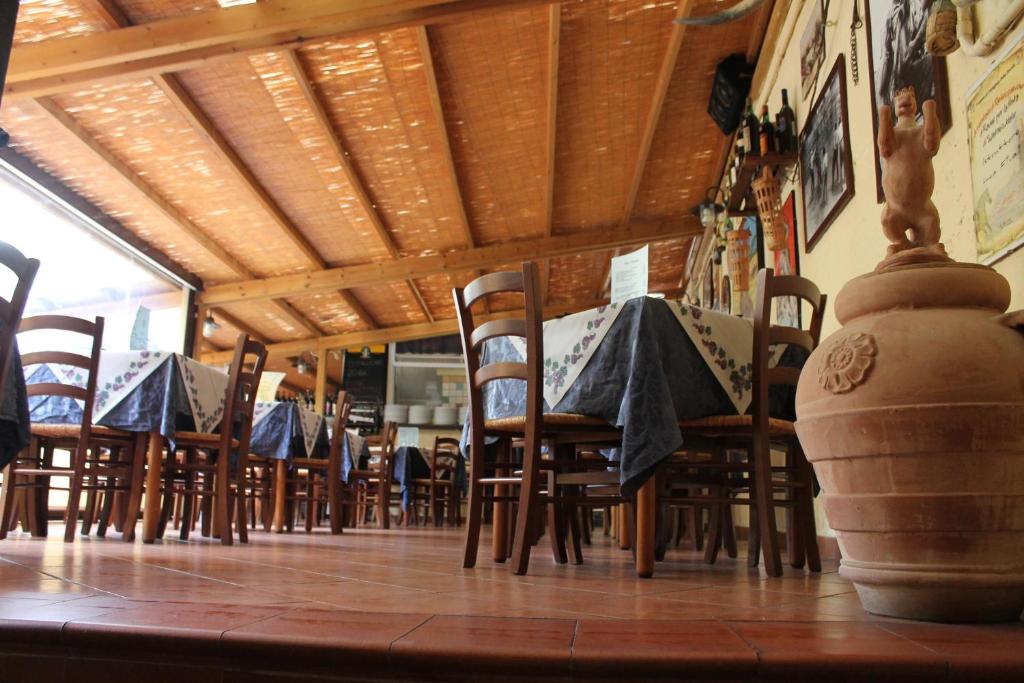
[826,163]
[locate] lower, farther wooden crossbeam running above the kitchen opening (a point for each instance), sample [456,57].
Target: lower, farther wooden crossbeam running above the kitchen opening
[409,332]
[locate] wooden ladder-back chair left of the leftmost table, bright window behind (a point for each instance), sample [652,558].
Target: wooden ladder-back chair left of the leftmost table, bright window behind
[96,462]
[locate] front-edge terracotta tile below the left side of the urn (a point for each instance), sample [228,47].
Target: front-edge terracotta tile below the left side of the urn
[830,649]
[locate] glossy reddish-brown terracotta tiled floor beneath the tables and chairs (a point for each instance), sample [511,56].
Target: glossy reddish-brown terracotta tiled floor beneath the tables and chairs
[398,606]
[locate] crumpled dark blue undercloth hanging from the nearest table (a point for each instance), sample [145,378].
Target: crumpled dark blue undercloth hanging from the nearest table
[646,377]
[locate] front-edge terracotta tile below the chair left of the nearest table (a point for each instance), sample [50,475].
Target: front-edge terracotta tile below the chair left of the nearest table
[497,644]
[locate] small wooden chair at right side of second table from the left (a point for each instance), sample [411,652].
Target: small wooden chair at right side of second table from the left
[318,481]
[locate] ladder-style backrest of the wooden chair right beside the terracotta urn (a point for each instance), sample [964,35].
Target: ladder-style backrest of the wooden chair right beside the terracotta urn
[771,287]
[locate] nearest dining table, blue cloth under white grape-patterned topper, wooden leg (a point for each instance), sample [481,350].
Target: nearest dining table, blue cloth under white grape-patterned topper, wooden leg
[643,365]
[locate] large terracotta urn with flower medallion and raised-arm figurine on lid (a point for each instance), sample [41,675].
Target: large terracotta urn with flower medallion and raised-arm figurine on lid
[913,414]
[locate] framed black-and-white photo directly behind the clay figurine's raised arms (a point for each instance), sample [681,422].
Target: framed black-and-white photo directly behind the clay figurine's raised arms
[898,59]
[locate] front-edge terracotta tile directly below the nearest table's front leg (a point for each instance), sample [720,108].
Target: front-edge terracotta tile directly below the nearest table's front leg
[680,649]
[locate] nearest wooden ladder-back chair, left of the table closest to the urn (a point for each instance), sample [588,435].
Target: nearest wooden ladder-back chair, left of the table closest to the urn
[562,432]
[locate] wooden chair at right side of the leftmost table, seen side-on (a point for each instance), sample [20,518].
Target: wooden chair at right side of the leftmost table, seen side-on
[206,468]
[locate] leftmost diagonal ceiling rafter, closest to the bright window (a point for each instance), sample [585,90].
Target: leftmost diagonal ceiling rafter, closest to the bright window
[172,212]
